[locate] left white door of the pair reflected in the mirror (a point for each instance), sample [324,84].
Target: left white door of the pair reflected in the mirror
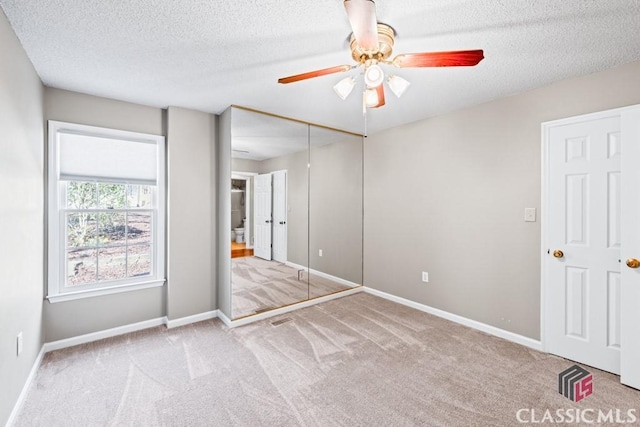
[262,217]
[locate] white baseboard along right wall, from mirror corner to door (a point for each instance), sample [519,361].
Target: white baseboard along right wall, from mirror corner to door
[491,330]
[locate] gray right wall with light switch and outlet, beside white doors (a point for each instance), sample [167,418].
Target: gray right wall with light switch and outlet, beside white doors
[447,196]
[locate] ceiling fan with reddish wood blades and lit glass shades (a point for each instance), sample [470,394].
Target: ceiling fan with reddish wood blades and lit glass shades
[371,44]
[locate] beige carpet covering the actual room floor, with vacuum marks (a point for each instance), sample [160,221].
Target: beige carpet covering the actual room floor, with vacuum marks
[355,361]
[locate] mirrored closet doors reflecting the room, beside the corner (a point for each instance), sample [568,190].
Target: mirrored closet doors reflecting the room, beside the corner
[270,216]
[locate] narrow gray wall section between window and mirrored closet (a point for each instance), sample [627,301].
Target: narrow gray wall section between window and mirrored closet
[191,221]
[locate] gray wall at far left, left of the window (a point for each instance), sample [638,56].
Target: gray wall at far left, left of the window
[21,216]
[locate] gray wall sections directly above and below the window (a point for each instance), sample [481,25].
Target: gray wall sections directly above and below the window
[72,318]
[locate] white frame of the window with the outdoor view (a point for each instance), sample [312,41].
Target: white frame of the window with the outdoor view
[57,290]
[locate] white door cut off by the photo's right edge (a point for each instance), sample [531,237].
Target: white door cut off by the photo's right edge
[630,225]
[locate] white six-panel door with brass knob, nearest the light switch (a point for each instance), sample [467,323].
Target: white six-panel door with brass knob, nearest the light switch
[583,291]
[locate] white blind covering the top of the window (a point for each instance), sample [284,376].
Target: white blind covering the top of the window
[94,156]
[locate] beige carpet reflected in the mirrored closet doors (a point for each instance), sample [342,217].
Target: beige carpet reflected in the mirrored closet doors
[259,285]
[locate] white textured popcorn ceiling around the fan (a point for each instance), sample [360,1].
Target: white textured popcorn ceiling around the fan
[208,55]
